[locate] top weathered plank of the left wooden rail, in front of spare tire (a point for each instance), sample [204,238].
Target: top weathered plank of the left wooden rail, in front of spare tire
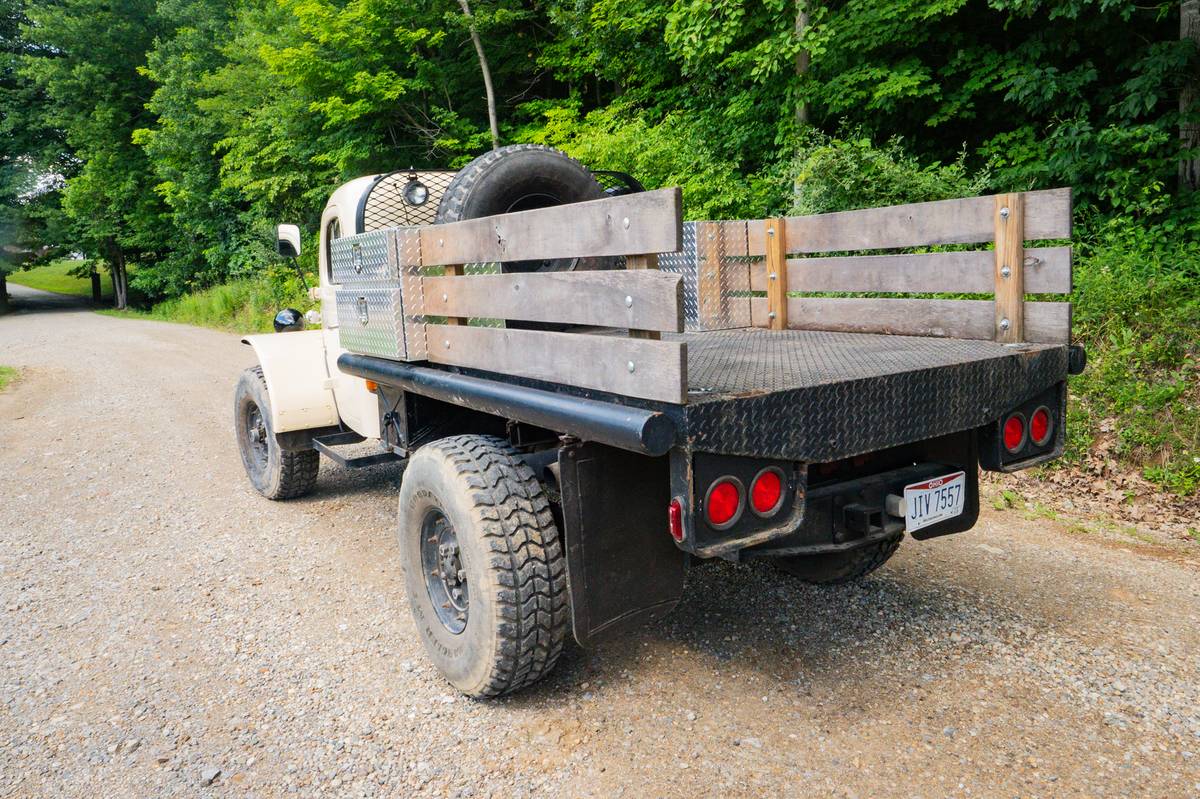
[629,225]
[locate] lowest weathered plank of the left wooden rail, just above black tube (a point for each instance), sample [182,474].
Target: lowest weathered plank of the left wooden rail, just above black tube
[633,368]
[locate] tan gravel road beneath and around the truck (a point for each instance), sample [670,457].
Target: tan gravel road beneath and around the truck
[166,632]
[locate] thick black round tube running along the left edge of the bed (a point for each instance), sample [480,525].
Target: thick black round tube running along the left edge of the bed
[637,430]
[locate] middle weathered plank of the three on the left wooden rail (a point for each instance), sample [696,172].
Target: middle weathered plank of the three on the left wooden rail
[645,301]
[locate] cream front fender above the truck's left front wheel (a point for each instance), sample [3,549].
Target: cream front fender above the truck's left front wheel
[297,381]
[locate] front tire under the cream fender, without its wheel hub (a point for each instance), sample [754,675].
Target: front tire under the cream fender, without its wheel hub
[284,474]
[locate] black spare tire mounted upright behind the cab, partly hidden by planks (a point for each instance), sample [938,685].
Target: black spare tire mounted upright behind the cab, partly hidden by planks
[523,178]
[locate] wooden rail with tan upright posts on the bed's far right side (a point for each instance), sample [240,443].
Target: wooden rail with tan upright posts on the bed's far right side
[1007,272]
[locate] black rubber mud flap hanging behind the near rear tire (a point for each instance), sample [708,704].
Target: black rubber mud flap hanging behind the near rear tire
[622,567]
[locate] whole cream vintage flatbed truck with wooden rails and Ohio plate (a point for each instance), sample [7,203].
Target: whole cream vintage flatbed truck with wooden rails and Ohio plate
[590,395]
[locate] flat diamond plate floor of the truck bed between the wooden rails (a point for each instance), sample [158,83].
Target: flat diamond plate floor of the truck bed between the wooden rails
[754,362]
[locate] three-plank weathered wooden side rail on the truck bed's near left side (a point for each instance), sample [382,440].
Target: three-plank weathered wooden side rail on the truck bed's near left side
[639,299]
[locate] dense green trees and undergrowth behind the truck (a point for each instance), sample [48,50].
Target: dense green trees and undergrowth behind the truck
[172,135]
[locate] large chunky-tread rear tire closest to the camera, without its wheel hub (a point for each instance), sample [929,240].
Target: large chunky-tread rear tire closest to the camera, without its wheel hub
[511,554]
